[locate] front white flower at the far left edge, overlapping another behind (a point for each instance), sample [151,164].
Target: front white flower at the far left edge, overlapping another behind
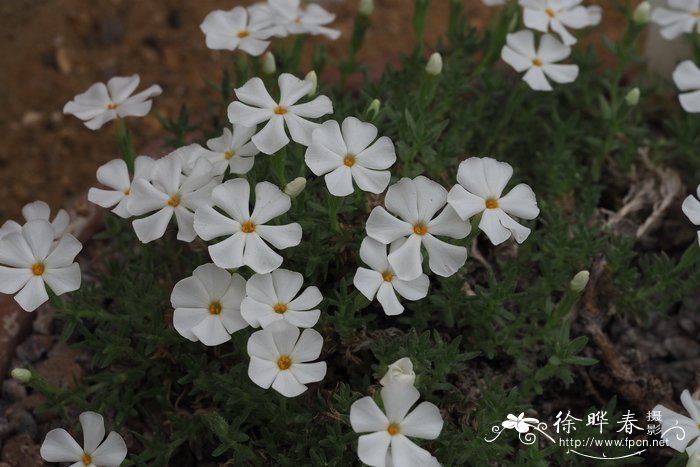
[30,260]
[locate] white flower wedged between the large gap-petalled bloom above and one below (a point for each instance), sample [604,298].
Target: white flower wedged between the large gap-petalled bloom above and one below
[271,297]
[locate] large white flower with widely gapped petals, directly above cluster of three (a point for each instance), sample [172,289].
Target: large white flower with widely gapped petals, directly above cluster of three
[247,233]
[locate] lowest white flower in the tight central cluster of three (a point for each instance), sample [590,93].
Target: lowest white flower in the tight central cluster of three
[280,358]
